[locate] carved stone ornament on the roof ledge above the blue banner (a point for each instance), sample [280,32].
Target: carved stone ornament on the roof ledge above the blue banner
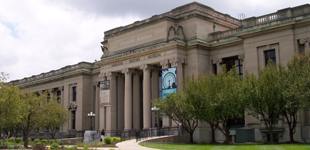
[175,33]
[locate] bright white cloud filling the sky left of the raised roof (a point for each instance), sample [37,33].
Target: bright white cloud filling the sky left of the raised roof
[50,37]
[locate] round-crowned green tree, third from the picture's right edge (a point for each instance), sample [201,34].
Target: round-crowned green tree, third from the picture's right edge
[224,96]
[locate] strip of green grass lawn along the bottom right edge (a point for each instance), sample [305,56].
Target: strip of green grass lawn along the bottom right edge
[226,147]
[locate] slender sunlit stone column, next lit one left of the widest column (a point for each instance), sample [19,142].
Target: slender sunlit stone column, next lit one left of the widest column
[128,98]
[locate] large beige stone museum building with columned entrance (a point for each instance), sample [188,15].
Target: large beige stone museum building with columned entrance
[192,38]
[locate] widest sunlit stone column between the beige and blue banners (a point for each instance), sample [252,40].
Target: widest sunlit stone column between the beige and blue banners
[146,96]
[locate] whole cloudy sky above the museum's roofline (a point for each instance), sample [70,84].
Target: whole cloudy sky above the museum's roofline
[37,36]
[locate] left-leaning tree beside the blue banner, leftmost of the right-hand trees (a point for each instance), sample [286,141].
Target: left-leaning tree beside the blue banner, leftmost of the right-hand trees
[177,107]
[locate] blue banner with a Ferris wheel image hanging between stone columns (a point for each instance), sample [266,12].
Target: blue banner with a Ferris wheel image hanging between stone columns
[169,81]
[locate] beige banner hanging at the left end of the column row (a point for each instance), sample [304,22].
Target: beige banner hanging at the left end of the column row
[105,93]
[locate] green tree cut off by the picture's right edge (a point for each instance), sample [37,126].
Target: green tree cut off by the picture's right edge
[296,89]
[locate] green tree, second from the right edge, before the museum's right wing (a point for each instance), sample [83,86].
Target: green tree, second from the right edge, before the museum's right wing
[264,95]
